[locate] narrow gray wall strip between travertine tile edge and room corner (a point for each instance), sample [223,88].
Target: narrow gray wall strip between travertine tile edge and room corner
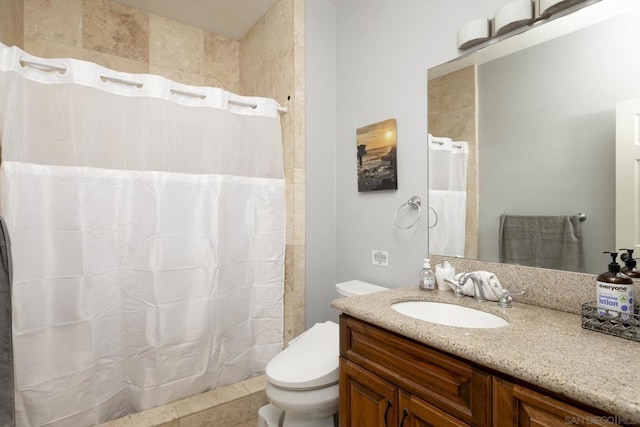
[320,78]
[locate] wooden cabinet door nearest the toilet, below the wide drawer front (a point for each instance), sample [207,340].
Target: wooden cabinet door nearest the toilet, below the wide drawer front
[366,400]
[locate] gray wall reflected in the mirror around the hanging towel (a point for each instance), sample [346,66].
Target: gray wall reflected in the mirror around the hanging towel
[547,132]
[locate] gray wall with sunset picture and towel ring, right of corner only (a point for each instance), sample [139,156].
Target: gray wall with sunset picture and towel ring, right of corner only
[383,52]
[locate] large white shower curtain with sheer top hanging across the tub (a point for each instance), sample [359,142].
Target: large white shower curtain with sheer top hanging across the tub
[148,222]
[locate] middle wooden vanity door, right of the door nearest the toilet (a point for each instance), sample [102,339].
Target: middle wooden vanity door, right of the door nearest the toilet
[415,412]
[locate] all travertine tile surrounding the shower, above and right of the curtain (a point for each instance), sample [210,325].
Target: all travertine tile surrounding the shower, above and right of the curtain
[268,61]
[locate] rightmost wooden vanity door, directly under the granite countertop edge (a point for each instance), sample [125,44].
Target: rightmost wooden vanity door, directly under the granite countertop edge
[515,405]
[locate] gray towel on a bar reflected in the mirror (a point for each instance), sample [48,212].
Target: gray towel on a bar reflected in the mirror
[542,241]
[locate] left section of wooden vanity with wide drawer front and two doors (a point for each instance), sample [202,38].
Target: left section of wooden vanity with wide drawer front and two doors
[388,380]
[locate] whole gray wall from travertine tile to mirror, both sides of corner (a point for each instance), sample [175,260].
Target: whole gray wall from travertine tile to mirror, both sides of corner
[381,50]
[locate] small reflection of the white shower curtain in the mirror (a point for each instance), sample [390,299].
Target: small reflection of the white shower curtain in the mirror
[447,195]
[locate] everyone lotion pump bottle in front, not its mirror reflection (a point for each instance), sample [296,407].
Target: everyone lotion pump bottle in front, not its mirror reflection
[614,291]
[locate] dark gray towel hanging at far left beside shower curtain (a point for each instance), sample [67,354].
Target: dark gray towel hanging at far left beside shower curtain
[7,407]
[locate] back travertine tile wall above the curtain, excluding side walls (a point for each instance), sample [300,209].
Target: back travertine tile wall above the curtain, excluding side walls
[131,40]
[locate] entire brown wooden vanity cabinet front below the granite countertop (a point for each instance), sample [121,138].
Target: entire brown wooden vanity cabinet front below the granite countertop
[387,380]
